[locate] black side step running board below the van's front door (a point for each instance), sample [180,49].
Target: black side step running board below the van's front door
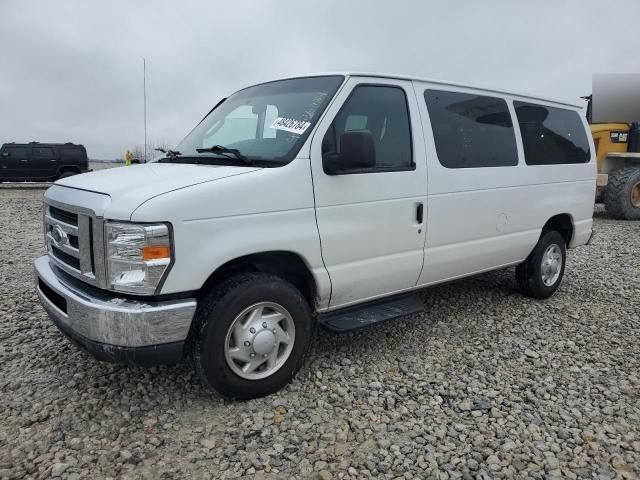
[359,316]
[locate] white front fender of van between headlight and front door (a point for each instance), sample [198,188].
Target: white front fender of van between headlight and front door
[270,209]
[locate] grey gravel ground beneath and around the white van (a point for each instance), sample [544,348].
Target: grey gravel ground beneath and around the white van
[485,384]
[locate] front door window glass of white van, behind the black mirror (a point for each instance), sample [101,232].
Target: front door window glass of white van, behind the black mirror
[383,112]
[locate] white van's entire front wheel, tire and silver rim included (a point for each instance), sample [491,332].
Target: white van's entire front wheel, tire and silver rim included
[253,333]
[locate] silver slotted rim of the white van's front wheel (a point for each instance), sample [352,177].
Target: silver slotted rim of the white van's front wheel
[259,340]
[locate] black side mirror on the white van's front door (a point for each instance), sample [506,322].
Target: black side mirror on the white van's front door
[357,152]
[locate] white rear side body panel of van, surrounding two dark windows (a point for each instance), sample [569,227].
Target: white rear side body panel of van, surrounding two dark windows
[480,219]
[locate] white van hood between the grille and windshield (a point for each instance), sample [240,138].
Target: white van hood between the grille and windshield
[129,187]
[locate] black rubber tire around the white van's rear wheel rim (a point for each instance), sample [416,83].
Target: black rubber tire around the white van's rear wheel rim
[529,273]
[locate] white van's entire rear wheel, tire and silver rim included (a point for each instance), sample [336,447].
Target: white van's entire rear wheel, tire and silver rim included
[539,276]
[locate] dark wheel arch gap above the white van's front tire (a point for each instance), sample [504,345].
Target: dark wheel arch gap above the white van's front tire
[288,265]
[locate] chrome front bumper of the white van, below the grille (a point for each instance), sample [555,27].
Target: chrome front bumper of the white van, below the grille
[113,328]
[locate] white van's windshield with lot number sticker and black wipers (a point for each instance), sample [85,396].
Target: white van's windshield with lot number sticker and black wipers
[267,122]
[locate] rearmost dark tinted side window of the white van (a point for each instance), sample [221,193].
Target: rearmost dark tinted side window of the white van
[551,136]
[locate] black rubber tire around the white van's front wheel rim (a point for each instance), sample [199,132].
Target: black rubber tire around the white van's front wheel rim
[216,314]
